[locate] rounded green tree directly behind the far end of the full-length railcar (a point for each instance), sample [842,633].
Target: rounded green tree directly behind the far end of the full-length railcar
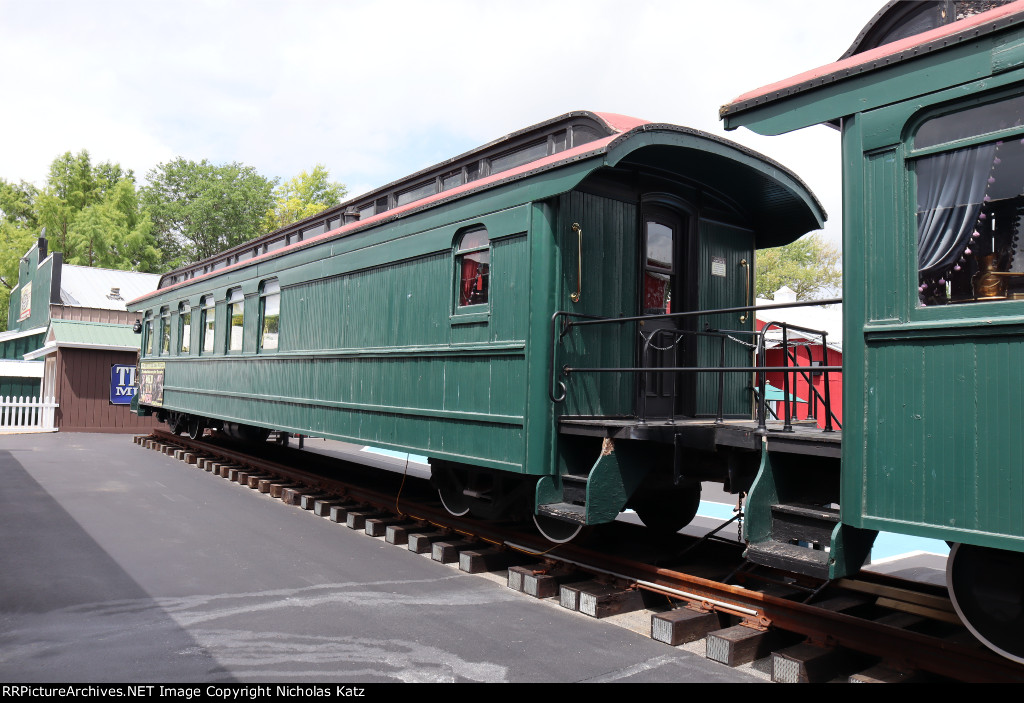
[199,209]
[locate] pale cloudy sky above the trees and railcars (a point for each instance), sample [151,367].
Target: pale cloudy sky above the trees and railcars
[377,91]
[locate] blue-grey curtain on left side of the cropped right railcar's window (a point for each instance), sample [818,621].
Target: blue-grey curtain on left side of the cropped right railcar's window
[951,193]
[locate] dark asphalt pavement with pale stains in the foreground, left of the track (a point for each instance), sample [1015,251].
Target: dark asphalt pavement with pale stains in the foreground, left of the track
[118,564]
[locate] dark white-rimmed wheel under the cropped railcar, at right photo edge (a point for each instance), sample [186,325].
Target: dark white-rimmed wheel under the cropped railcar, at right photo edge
[987,588]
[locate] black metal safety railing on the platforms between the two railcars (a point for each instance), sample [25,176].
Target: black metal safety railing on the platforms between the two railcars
[663,340]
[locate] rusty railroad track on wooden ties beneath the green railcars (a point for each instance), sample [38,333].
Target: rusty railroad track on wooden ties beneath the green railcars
[872,629]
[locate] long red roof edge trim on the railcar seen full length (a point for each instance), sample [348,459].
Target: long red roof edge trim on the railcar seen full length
[619,123]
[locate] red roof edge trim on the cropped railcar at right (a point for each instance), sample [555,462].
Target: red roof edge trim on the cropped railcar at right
[880,53]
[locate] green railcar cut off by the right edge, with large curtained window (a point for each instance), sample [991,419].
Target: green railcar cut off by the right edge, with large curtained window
[930,103]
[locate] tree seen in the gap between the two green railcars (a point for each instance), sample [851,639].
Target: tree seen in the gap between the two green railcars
[810,267]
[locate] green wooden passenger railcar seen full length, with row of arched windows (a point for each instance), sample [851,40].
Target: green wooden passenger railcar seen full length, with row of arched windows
[419,317]
